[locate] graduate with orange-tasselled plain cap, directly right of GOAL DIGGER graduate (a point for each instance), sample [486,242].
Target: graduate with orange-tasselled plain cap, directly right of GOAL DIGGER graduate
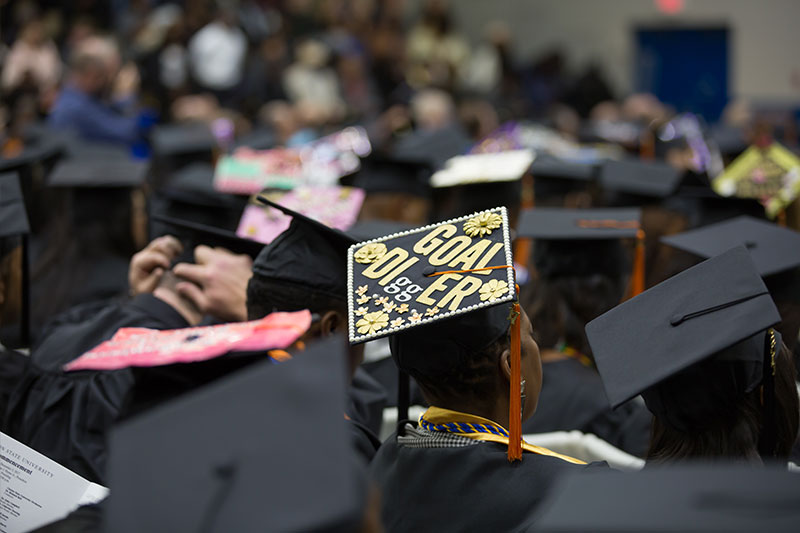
[581,272]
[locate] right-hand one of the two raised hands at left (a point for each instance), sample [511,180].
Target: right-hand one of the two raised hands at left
[217,283]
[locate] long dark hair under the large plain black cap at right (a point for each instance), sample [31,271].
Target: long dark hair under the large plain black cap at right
[733,430]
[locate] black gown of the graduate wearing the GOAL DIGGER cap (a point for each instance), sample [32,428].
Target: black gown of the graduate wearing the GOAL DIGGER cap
[471,488]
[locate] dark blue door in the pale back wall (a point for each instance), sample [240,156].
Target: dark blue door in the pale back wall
[686,68]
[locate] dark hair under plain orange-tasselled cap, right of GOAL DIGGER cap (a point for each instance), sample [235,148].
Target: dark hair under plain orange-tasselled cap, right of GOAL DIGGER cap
[560,308]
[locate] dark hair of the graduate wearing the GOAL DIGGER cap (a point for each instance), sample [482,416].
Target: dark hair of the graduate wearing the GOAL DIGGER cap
[470,379]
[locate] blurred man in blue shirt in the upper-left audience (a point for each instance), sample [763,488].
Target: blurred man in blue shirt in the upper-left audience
[98,98]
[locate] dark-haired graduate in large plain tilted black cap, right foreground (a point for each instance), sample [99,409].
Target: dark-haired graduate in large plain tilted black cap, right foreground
[701,349]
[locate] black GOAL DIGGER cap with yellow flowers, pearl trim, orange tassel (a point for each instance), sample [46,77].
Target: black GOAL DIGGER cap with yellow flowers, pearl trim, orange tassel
[442,293]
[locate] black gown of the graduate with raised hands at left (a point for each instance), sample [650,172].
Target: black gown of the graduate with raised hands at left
[65,415]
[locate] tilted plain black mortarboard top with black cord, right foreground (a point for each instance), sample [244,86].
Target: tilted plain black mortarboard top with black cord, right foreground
[684,320]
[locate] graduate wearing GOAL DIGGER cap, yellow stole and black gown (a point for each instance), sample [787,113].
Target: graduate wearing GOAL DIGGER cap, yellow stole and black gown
[445,295]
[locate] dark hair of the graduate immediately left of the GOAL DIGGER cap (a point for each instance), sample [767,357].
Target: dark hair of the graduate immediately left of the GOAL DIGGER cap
[267,295]
